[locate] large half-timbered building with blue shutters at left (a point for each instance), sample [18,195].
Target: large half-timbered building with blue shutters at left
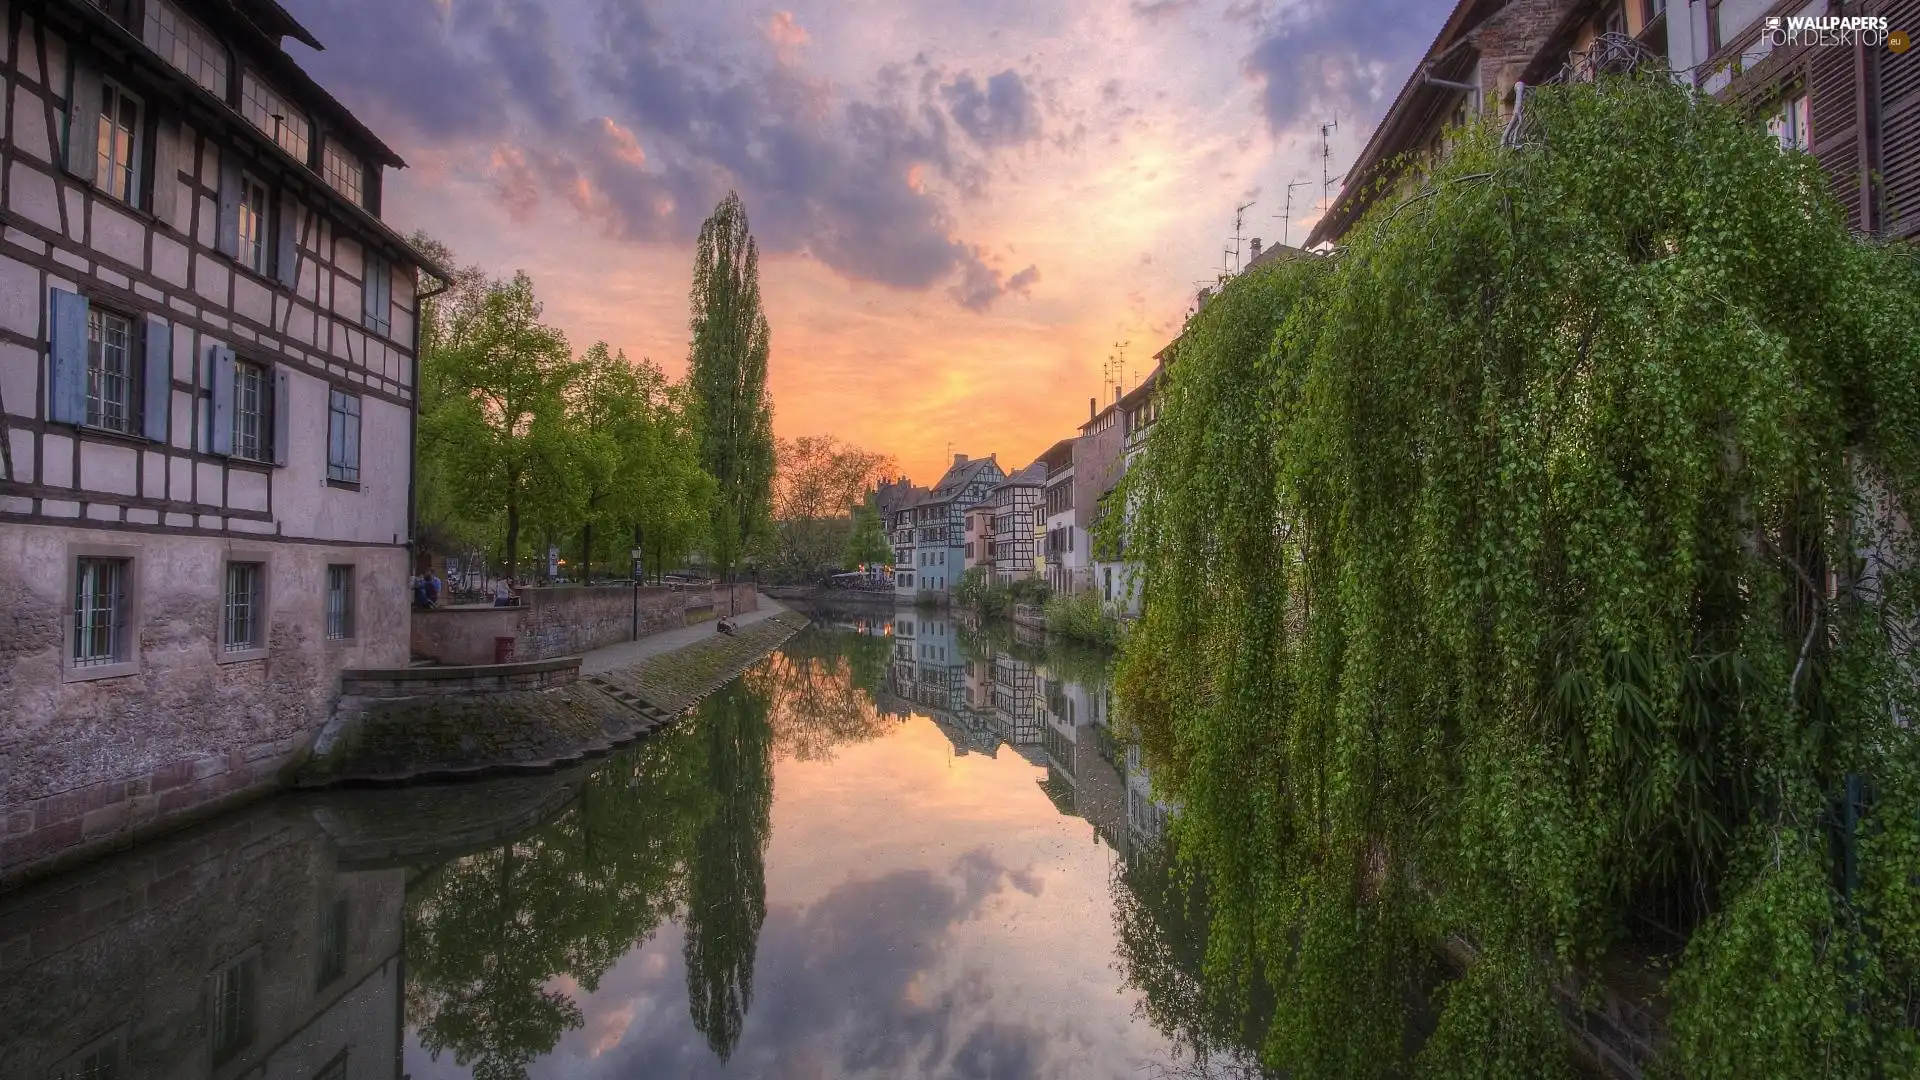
[208,355]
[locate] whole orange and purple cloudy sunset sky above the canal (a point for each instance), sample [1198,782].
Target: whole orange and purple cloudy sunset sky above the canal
[961,209]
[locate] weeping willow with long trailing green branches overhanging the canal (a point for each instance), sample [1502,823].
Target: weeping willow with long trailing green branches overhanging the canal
[1535,572]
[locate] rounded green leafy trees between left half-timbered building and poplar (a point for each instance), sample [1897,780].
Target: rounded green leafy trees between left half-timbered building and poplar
[517,435]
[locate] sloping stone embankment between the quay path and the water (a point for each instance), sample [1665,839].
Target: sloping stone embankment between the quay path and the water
[502,720]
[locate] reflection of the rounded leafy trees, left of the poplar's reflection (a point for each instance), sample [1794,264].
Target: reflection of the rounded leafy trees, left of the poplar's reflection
[492,933]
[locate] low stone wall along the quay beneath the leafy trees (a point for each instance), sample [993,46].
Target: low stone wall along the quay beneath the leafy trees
[567,622]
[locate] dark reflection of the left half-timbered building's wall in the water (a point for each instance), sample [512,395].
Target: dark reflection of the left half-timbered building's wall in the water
[116,966]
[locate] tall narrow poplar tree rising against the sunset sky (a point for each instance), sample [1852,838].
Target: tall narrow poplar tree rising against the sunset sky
[727,370]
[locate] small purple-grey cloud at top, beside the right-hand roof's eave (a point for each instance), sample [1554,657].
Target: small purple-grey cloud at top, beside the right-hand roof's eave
[1335,59]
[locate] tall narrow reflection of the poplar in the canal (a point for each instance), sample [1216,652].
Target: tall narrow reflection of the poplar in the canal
[727,879]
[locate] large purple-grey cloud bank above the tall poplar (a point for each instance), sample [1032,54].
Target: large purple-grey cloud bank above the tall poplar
[844,178]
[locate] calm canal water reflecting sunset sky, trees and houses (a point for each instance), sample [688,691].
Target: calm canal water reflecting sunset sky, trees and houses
[894,848]
